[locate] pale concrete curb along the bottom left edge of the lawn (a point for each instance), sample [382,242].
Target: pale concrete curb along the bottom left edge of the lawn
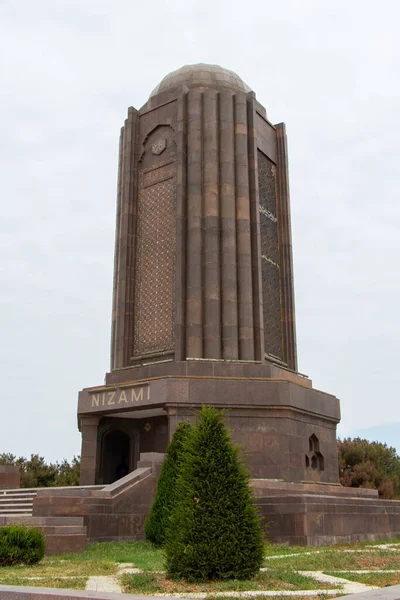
[14,592]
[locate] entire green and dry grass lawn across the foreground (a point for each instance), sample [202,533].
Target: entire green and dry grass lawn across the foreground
[281,574]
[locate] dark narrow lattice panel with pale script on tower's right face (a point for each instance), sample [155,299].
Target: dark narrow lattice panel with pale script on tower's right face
[270,268]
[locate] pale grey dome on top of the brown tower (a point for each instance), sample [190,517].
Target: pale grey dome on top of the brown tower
[202,76]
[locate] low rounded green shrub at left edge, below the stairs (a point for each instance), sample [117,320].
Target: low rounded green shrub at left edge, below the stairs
[20,545]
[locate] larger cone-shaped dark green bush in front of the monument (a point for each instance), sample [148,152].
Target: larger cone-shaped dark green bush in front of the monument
[215,530]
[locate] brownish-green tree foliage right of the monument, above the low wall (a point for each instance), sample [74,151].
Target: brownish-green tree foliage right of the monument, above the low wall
[369,465]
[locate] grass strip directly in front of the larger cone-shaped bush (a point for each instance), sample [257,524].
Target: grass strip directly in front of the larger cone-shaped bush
[282,579]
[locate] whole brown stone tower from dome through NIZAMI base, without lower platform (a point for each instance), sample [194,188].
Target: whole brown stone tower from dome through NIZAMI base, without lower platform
[203,302]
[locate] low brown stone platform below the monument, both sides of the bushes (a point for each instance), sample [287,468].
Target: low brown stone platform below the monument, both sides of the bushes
[308,513]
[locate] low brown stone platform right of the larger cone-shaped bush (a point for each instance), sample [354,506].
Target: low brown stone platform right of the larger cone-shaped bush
[312,514]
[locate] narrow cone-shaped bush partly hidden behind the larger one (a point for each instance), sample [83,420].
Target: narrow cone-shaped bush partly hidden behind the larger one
[165,498]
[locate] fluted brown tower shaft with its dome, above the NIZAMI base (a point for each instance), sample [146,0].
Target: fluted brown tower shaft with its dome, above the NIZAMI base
[203,259]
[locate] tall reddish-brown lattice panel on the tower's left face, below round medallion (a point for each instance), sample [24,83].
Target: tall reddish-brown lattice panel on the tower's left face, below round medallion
[155,261]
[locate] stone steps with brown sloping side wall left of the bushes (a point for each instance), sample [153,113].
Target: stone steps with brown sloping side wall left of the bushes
[71,516]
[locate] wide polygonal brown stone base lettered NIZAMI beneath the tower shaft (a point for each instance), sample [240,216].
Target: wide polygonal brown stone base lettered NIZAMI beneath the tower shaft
[274,418]
